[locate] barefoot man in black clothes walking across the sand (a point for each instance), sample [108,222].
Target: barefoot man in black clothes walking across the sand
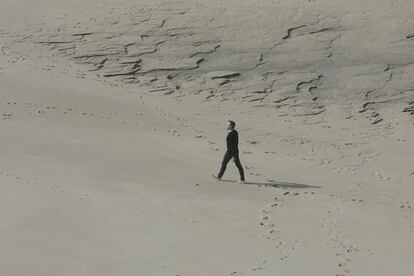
[232,152]
